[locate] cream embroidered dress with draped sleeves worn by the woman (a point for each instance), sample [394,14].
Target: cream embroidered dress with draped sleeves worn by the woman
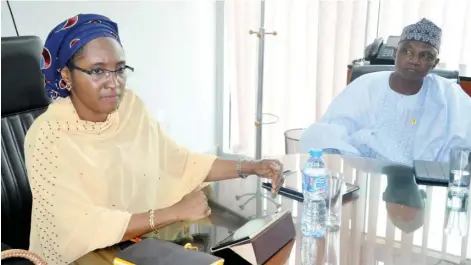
[88,178]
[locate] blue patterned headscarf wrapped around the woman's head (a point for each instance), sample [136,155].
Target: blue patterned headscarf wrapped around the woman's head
[64,41]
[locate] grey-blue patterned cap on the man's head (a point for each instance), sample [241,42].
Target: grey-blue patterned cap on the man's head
[424,31]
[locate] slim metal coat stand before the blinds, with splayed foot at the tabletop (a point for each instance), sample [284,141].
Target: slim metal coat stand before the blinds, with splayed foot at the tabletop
[259,111]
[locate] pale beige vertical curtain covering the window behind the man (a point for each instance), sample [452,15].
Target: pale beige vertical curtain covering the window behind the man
[306,63]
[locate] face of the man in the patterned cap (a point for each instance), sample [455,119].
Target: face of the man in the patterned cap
[415,59]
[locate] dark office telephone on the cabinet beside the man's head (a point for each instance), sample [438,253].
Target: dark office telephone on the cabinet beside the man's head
[379,52]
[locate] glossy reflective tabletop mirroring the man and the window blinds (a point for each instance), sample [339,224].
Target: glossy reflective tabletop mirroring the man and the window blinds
[374,228]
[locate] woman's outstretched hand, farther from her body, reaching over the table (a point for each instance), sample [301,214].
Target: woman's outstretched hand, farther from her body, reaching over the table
[270,169]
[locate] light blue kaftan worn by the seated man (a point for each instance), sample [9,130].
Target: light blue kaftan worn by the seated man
[369,119]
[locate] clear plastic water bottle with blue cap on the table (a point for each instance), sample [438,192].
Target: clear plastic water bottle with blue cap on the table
[314,190]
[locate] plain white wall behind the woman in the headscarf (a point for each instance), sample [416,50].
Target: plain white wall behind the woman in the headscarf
[171,44]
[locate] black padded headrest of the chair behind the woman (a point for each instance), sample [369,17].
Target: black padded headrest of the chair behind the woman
[22,80]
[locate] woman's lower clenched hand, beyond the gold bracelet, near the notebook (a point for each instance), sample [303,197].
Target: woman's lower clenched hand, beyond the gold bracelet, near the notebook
[192,207]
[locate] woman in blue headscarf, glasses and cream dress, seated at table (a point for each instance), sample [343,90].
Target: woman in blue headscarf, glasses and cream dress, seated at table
[100,168]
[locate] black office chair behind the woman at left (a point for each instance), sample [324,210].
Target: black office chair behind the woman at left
[23,100]
